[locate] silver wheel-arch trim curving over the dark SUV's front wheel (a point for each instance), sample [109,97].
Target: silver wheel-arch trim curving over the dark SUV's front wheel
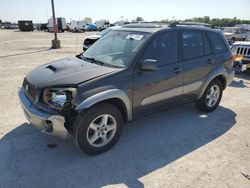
[109,94]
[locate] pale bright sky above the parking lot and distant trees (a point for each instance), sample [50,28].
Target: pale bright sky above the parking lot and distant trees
[113,10]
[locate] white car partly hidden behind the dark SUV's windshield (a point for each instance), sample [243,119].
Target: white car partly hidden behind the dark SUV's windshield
[89,40]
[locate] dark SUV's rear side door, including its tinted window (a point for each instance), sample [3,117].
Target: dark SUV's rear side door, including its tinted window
[198,60]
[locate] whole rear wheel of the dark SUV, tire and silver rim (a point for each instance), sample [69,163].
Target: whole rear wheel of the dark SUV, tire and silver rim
[211,97]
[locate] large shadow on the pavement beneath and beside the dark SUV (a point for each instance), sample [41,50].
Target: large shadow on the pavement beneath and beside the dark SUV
[147,144]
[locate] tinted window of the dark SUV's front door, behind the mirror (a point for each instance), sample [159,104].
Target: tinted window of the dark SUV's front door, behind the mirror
[163,48]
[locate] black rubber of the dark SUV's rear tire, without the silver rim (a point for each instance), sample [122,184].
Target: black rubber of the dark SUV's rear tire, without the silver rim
[202,105]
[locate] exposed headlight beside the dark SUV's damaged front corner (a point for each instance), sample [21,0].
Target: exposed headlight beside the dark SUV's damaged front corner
[58,98]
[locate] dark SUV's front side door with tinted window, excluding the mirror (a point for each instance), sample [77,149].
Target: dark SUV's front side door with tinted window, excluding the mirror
[155,89]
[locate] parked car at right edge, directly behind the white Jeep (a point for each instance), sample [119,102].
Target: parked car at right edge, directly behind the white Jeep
[235,33]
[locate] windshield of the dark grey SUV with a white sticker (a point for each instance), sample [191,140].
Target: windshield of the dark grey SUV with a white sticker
[117,48]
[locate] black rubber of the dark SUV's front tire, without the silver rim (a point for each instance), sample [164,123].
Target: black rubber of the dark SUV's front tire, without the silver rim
[83,121]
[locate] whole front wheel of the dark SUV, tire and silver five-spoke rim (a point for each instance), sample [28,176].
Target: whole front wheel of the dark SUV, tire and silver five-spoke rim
[98,129]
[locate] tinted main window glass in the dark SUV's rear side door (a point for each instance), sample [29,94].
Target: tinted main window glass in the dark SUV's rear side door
[192,44]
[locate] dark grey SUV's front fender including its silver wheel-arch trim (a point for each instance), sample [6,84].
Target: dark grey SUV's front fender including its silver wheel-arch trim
[114,86]
